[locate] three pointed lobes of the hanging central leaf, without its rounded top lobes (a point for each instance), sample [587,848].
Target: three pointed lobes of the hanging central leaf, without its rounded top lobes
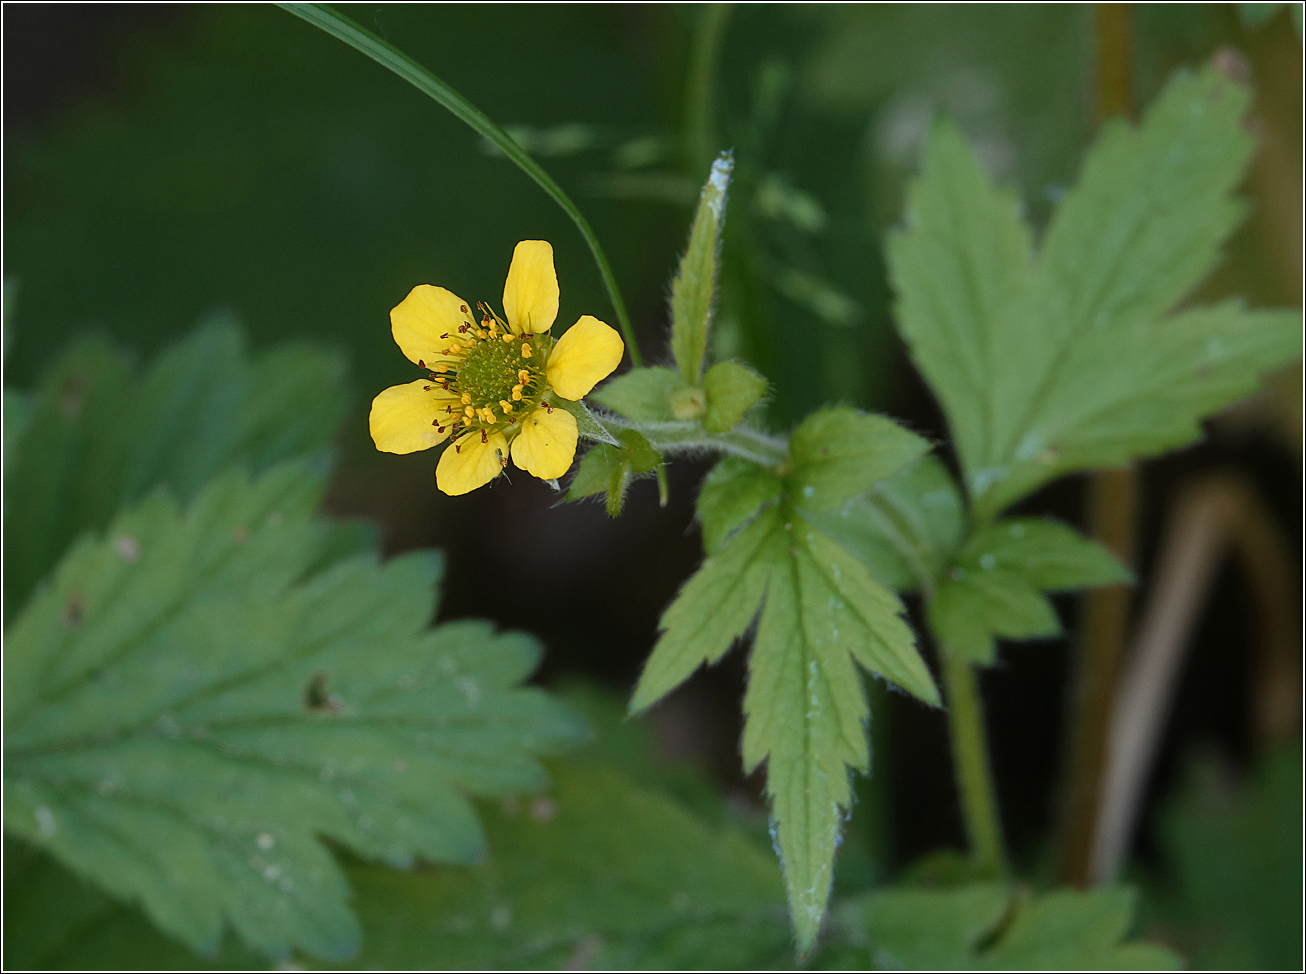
[805,707]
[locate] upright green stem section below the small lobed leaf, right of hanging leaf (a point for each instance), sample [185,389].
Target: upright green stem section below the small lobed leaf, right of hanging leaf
[971,763]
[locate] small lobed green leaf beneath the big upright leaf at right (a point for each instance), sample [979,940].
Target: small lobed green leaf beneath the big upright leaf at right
[995,587]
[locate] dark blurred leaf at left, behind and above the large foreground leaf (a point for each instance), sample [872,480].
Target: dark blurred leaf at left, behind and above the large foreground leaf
[100,437]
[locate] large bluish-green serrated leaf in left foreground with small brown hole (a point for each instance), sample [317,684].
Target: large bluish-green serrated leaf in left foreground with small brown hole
[187,710]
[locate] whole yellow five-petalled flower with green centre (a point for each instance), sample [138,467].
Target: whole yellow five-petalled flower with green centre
[490,381]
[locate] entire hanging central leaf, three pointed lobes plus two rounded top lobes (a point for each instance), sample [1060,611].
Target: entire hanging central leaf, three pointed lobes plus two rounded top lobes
[821,610]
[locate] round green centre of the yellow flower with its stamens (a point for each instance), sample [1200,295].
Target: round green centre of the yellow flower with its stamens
[503,378]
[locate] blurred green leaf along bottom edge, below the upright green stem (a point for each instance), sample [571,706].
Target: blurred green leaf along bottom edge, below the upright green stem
[987,928]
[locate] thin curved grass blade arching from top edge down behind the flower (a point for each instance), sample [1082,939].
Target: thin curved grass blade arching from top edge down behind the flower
[362,40]
